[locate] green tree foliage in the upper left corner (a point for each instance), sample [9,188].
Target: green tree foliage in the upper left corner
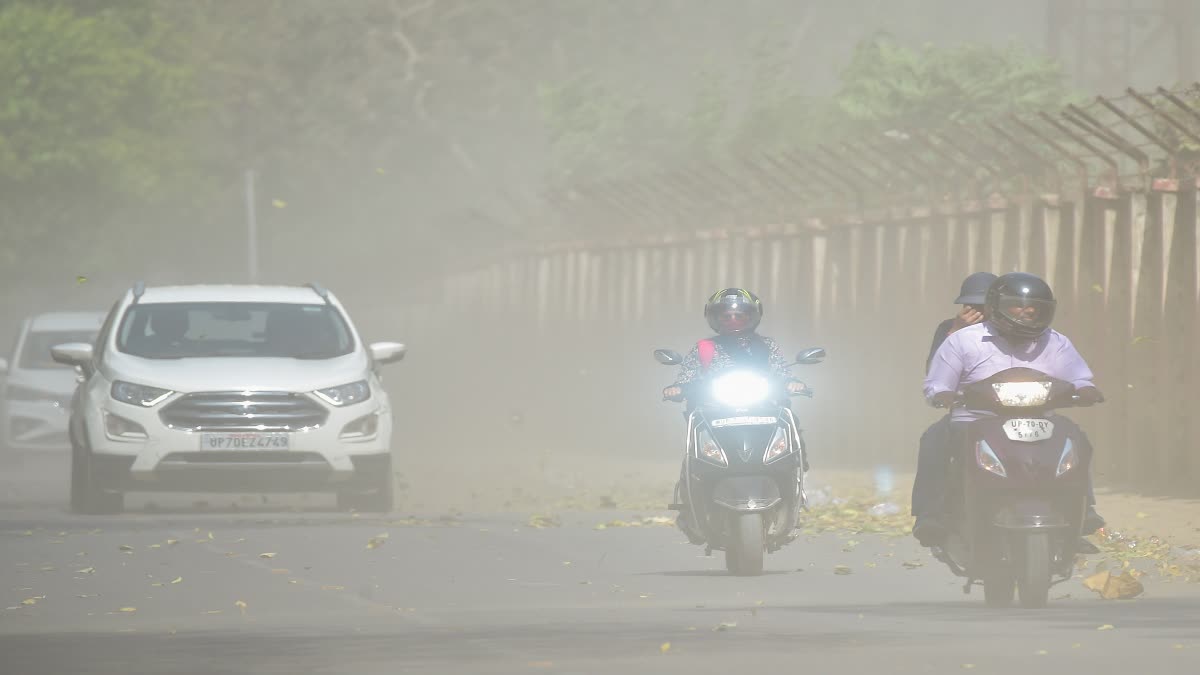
[92,116]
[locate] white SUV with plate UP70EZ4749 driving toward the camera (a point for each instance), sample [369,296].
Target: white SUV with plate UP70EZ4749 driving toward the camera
[230,389]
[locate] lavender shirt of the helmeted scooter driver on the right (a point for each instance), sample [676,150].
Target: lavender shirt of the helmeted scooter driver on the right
[977,354]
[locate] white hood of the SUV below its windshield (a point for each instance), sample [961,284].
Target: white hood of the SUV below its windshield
[238,374]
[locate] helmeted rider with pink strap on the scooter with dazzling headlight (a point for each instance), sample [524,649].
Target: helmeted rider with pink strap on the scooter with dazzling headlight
[734,314]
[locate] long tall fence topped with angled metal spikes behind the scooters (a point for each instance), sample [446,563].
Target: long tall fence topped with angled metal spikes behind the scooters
[1101,200]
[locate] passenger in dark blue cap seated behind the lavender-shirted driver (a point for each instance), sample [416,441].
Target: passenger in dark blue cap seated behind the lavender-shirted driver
[935,443]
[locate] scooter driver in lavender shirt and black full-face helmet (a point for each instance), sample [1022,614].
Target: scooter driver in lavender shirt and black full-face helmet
[1019,309]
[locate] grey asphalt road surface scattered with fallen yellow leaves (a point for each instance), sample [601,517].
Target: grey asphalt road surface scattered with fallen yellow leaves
[260,590]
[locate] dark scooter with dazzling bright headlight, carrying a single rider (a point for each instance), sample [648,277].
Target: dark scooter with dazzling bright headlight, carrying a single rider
[743,477]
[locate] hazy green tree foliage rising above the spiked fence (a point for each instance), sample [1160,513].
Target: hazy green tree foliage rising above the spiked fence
[761,105]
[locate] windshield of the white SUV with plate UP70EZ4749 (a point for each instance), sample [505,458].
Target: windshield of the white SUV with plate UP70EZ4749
[176,331]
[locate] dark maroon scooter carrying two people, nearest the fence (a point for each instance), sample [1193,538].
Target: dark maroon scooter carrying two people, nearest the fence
[1018,491]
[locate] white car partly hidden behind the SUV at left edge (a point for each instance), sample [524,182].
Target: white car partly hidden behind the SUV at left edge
[35,396]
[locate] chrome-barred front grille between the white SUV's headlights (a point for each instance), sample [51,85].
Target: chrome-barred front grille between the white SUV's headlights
[244,411]
